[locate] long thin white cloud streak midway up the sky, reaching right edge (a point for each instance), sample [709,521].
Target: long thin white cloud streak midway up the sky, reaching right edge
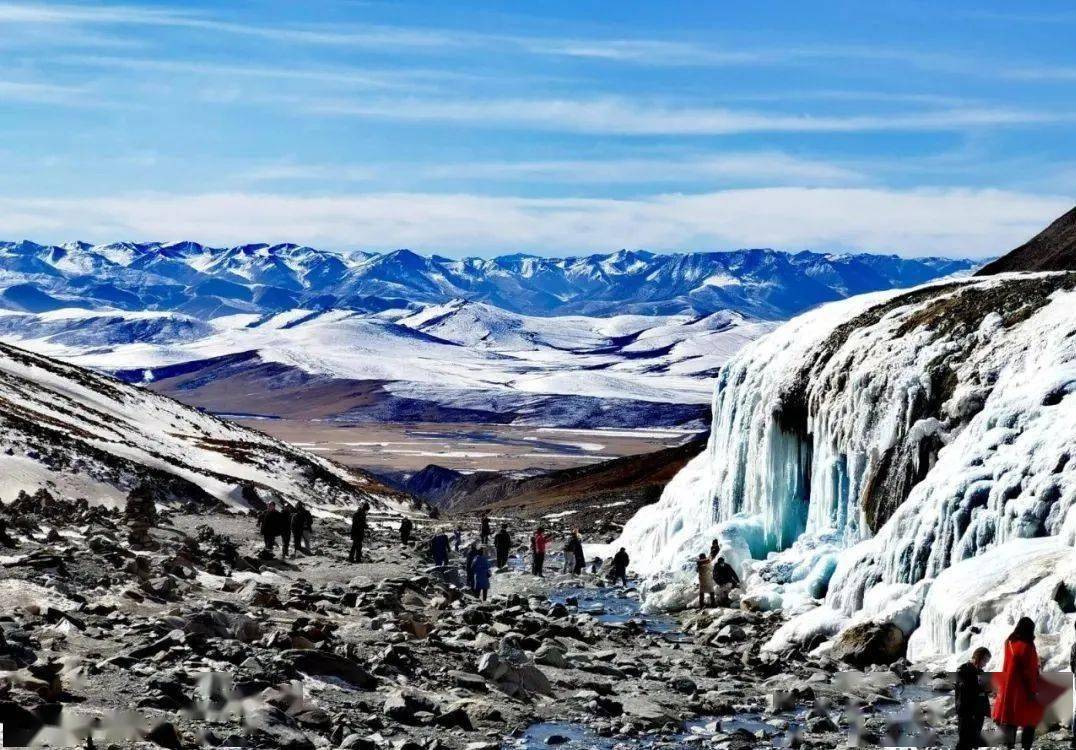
[624,117]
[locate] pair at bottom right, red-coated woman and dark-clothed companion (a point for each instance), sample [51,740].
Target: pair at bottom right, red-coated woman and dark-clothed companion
[1022,696]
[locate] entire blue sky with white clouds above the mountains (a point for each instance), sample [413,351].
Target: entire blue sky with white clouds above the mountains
[549,128]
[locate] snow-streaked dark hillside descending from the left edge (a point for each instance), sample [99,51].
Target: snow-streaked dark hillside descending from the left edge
[82,434]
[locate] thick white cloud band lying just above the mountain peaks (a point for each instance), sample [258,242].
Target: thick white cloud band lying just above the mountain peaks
[955,222]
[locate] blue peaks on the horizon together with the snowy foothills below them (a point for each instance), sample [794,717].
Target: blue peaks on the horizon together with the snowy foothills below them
[597,341]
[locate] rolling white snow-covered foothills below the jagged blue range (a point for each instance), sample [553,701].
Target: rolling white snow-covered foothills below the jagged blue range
[461,355]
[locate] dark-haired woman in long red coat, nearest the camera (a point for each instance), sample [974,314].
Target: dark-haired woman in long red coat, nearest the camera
[1017,706]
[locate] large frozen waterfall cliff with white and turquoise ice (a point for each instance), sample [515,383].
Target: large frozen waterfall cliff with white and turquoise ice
[908,457]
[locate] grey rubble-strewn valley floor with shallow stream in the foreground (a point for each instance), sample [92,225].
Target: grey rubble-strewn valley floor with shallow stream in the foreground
[177,633]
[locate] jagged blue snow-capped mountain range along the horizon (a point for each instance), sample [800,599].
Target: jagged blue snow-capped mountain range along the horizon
[213,282]
